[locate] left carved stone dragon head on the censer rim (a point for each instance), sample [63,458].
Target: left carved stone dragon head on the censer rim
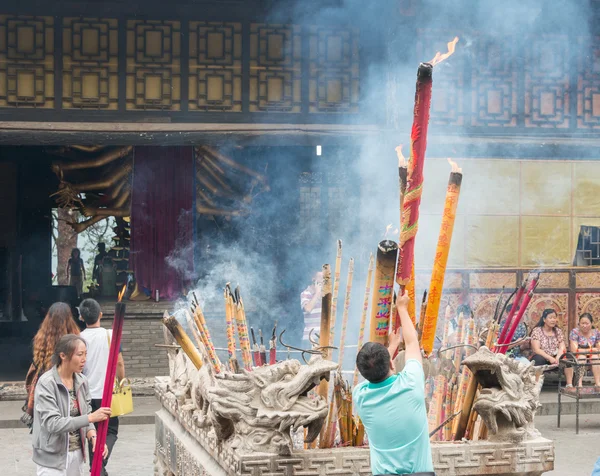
[250,411]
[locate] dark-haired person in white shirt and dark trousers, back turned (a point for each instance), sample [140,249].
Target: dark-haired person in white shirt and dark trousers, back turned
[98,347]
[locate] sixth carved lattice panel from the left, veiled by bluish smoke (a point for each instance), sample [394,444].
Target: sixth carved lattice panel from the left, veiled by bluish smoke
[334,70]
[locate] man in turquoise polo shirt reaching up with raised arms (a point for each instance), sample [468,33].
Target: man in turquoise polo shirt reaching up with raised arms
[392,406]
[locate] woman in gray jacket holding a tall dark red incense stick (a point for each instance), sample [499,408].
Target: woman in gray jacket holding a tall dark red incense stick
[62,417]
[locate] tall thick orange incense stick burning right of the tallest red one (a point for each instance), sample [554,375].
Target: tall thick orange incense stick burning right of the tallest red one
[441,259]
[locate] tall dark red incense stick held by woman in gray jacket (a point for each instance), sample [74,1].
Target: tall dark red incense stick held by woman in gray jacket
[109,382]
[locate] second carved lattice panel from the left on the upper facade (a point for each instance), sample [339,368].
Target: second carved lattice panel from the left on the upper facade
[90,63]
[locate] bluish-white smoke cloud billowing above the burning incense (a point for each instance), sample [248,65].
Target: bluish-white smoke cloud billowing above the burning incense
[272,252]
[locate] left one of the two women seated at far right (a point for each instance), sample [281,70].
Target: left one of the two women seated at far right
[547,340]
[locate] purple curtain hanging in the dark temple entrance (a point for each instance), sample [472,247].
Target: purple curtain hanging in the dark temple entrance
[161,248]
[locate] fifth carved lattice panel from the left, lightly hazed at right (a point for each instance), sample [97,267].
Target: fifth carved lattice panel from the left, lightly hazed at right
[275,68]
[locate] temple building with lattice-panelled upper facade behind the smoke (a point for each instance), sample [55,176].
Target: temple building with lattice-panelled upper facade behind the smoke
[236,140]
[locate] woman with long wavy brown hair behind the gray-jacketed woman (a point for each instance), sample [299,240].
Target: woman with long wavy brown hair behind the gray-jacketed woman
[57,323]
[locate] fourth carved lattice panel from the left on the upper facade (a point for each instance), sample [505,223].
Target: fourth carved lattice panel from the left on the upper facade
[215,66]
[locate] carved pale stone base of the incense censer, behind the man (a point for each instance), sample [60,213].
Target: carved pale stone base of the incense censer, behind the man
[183,449]
